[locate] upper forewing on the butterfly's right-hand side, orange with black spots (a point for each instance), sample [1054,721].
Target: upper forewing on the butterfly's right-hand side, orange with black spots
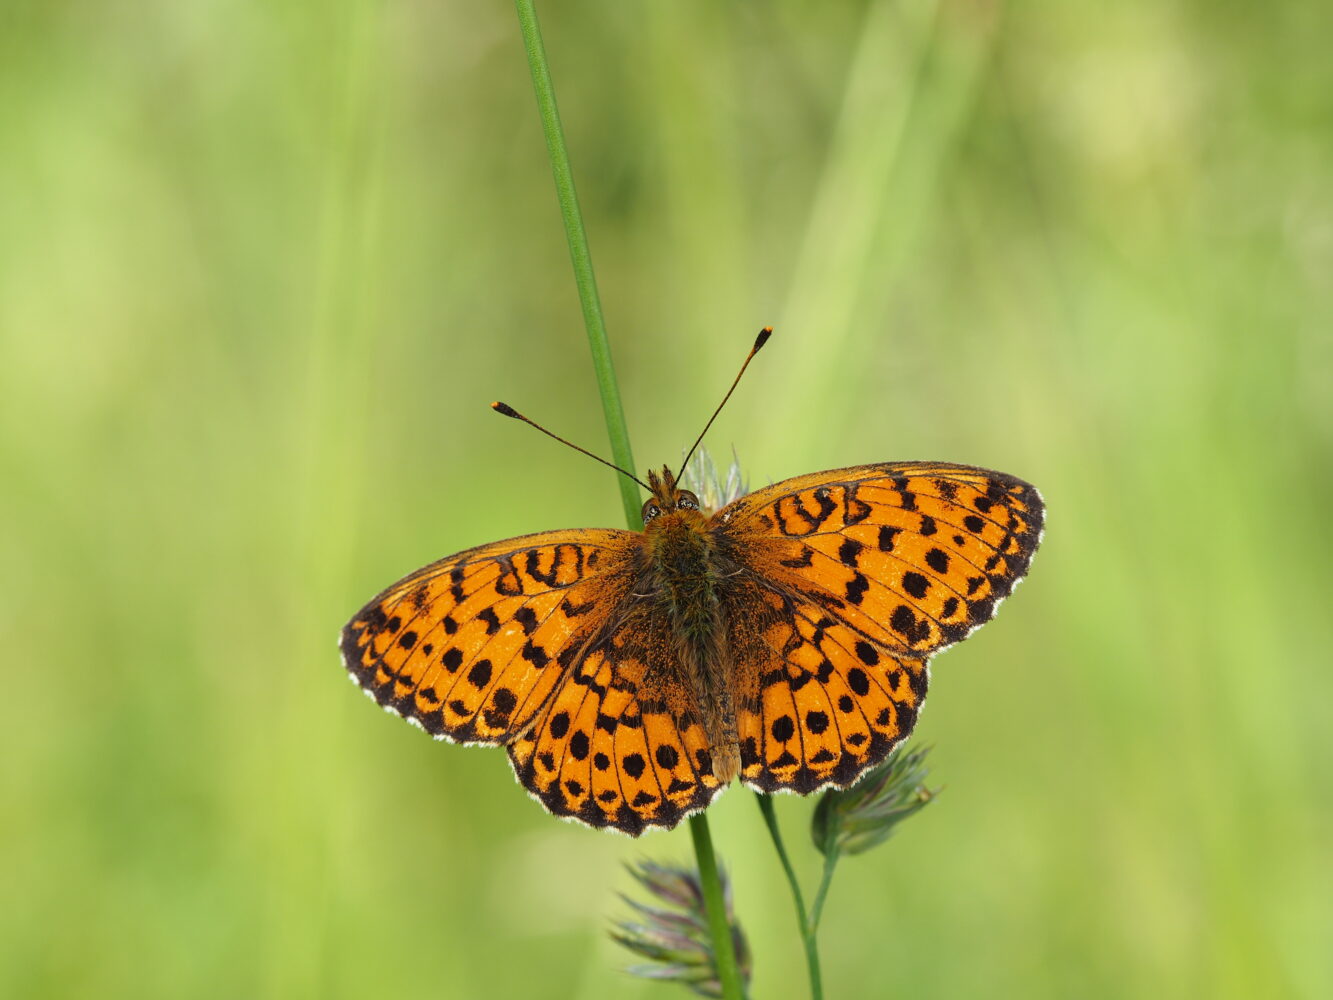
[910,555]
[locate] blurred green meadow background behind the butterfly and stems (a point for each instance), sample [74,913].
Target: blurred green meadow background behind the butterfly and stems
[265,266]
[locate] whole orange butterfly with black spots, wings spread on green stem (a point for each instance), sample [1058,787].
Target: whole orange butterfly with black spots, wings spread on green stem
[782,639]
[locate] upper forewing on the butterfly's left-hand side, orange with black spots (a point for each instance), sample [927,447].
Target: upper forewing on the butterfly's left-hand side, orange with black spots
[471,649]
